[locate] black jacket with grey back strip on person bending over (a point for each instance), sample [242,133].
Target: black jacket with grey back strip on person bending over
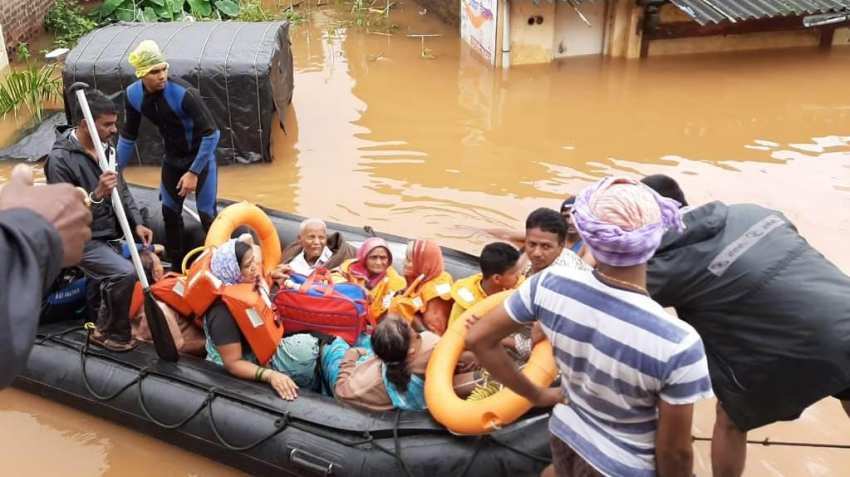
[773,312]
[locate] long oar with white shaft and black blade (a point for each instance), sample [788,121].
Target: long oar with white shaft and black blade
[162,339]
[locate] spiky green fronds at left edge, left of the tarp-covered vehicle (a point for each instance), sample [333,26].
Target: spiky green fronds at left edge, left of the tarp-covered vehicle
[29,87]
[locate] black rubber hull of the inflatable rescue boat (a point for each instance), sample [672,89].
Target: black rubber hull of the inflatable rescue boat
[197,406]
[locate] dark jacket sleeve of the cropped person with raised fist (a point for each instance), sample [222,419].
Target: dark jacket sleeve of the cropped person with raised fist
[31,254]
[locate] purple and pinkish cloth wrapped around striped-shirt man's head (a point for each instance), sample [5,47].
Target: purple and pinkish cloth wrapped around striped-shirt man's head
[622,220]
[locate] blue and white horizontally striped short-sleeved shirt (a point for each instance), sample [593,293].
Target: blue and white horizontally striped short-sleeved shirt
[619,352]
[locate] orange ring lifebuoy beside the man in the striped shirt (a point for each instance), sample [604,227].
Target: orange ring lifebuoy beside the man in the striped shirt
[478,417]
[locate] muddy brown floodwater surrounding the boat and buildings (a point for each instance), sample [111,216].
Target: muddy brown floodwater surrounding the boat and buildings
[429,142]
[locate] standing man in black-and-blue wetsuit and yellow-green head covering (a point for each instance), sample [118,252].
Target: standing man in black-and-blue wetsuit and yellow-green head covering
[189,134]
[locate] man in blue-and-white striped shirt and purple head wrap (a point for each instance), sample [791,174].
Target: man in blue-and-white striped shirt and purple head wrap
[629,371]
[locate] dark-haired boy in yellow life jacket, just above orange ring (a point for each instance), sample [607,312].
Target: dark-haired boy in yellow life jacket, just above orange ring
[499,271]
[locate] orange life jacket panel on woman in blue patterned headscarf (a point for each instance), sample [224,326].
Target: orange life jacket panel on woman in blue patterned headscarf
[252,310]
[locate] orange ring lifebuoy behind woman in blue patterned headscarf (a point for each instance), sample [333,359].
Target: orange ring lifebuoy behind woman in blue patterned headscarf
[245,213]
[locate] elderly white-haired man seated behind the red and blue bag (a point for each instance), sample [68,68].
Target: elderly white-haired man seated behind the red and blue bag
[315,248]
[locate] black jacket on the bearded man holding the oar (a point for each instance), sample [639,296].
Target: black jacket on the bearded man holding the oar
[69,162]
